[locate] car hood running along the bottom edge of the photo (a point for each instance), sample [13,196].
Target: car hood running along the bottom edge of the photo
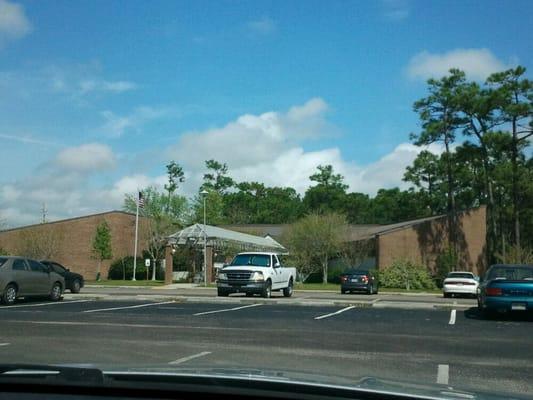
[234,378]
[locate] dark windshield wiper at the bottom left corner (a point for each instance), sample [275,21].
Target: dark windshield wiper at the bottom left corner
[55,372]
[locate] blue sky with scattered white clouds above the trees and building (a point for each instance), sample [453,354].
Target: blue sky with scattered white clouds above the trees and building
[97,96]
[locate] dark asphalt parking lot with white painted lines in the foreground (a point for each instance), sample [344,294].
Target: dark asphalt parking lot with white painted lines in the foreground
[454,347]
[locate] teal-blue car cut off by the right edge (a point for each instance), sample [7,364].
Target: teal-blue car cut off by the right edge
[506,288]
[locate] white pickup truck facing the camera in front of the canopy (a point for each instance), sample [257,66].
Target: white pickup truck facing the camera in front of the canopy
[256,273]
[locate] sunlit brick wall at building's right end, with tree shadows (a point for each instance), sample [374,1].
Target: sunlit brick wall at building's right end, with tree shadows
[423,242]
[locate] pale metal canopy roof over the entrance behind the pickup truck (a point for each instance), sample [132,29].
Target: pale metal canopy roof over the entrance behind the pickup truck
[219,237]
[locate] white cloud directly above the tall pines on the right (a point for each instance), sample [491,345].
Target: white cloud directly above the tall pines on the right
[477,63]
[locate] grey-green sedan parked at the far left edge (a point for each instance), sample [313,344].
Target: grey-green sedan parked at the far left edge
[23,277]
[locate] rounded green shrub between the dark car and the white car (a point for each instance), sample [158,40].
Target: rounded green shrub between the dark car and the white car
[405,274]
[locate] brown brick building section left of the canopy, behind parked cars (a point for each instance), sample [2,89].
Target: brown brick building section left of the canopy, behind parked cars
[72,238]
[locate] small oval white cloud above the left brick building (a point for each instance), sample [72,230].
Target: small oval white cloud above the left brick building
[89,157]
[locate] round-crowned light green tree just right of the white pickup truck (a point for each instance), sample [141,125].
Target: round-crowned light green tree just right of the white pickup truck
[314,240]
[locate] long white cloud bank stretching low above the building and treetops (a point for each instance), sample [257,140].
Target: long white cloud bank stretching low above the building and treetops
[265,148]
